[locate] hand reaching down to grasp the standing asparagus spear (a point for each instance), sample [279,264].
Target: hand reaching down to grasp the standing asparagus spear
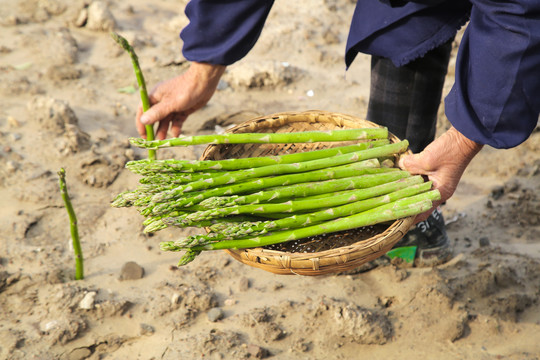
[173,100]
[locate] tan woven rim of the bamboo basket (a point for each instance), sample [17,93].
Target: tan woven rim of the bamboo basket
[335,260]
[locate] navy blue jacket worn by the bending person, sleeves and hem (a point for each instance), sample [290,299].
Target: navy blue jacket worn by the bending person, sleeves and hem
[496,96]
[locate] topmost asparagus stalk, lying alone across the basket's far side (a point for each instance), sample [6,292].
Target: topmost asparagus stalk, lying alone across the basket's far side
[266,138]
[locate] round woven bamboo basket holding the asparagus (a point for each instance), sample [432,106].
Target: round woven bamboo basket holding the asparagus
[331,253]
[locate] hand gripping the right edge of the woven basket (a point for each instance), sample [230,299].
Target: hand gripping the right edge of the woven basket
[443,162]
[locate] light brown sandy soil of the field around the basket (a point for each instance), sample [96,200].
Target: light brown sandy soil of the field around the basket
[67,101]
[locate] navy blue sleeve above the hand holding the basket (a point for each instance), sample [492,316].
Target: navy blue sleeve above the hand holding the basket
[495,98]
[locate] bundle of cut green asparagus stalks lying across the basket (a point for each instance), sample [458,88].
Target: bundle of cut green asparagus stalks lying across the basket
[260,201]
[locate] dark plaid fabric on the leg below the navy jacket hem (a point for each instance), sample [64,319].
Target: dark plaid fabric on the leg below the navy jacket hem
[406,99]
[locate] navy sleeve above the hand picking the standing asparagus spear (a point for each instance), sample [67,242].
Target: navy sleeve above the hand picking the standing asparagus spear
[222,32]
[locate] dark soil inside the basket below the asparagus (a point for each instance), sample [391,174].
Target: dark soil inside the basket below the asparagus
[329,241]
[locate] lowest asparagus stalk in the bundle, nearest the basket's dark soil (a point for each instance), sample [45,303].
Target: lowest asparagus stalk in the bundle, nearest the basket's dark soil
[402,208]
